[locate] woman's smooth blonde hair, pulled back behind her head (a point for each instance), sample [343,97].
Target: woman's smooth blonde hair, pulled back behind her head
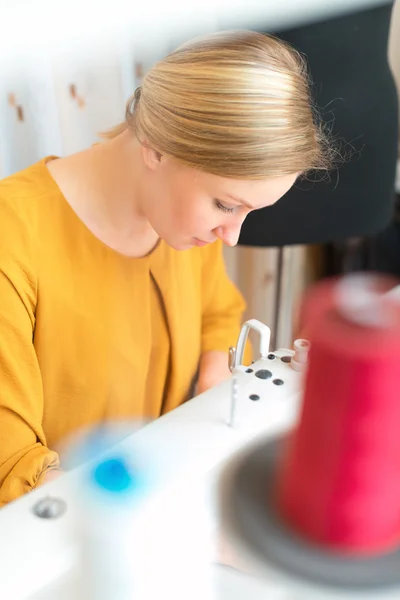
[234,104]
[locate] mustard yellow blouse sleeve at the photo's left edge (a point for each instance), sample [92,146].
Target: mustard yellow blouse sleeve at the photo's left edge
[24,457]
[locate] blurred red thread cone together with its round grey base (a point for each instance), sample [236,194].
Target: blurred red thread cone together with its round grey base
[323,500]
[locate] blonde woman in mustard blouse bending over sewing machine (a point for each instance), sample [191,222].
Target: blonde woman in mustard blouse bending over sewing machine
[113,288]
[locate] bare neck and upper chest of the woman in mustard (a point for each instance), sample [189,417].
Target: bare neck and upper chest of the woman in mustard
[103,186]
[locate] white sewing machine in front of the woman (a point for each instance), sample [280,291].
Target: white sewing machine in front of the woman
[171,533]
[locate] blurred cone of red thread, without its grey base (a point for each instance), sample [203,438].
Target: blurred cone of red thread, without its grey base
[338,482]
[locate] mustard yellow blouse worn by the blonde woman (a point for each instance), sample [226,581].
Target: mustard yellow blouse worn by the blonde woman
[88,335]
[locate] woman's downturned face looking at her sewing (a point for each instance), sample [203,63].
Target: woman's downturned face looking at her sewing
[188,207]
